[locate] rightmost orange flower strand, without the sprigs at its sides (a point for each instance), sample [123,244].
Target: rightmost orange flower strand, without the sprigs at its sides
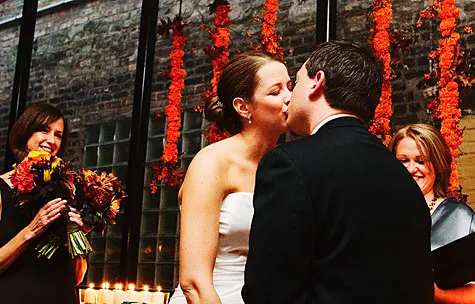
[448,109]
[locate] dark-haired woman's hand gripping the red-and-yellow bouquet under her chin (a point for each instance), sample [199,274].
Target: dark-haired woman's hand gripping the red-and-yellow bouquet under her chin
[45,217]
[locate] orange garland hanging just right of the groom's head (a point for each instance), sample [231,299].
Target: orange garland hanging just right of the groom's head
[380,42]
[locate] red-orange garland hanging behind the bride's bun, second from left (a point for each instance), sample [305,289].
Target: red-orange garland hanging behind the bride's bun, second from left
[219,54]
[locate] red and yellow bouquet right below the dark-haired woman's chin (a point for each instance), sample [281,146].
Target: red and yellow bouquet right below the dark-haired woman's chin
[38,179]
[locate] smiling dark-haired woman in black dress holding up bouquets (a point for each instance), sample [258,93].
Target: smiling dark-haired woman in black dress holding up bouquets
[25,278]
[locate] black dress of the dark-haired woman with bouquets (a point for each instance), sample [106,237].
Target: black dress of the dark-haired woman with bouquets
[32,280]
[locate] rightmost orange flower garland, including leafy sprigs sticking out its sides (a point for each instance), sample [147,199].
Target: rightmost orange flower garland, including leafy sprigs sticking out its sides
[447,58]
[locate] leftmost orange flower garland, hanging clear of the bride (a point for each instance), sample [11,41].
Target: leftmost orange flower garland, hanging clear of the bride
[168,170]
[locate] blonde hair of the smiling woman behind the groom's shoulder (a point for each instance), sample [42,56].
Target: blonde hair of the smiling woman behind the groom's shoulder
[433,146]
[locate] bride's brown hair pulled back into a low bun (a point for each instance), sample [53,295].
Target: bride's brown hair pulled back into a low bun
[239,79]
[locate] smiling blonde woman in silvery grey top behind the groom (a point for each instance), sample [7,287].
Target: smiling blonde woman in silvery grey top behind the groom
[423,151]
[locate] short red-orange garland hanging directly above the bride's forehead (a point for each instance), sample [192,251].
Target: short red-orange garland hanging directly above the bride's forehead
[269,39]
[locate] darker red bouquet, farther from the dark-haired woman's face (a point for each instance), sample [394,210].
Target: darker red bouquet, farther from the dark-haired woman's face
[98,198]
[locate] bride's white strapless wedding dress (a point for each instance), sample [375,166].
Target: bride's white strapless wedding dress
[233,245]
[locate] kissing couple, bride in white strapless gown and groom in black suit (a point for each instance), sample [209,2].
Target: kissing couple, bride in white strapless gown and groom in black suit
[332,217]
